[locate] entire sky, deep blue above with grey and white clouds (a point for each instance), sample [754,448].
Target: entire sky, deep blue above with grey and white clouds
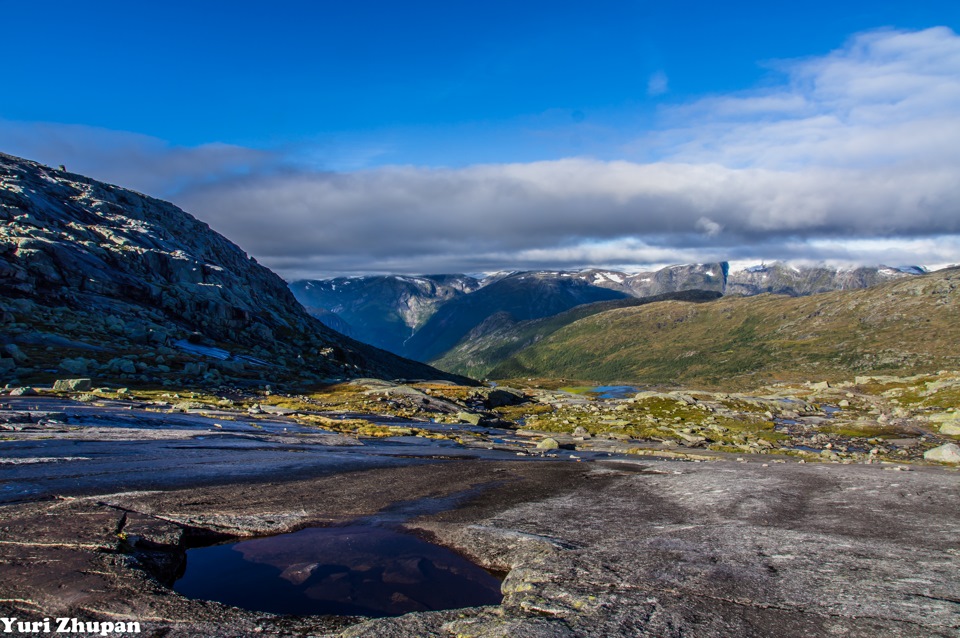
[408,112]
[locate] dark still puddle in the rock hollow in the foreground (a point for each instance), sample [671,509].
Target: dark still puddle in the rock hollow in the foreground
[361,570]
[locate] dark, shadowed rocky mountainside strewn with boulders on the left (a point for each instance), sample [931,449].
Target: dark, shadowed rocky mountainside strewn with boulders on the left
[129,286]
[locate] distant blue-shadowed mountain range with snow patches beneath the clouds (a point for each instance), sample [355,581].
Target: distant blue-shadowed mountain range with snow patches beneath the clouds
[448,320]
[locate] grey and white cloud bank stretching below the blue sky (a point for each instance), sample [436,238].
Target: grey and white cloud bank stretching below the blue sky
[851,157]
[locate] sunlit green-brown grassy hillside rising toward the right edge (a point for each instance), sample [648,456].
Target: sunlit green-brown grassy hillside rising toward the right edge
[904,327]
